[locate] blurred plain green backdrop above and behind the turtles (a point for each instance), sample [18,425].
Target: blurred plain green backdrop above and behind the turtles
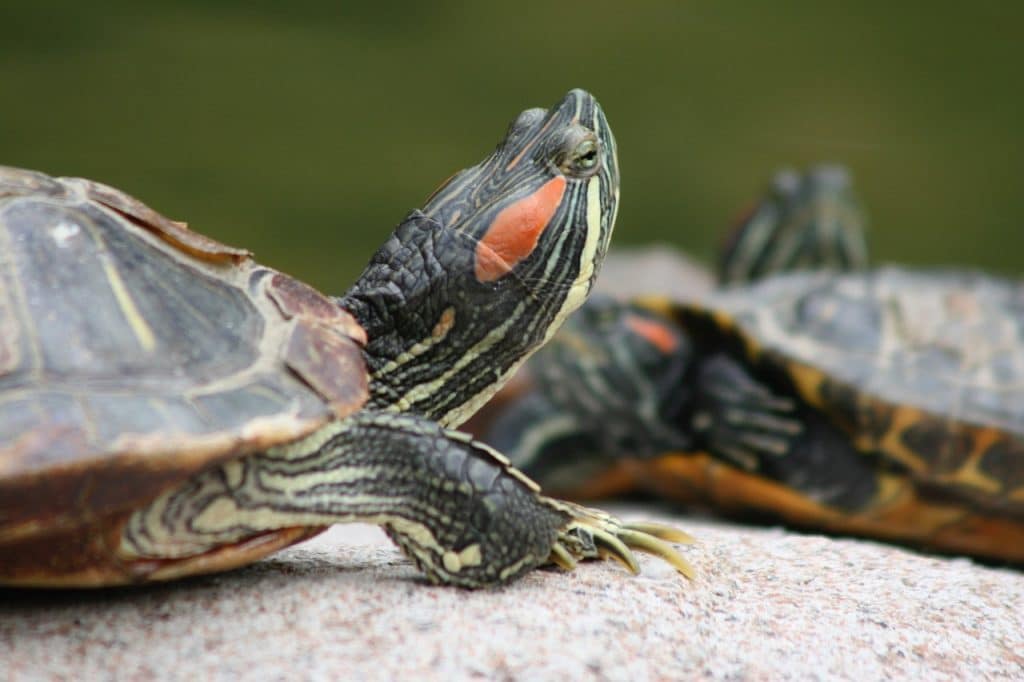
[306,131]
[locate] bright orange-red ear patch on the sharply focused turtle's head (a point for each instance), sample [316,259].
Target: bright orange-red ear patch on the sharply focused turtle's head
[516,231]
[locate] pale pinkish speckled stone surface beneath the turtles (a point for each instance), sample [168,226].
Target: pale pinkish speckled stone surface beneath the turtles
[767,605]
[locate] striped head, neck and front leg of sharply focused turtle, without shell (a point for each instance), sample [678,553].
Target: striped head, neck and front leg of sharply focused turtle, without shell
[442,340]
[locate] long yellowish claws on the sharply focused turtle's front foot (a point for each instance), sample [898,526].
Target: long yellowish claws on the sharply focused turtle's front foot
[592,534]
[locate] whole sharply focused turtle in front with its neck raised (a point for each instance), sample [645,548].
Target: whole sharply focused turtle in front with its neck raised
[170,407]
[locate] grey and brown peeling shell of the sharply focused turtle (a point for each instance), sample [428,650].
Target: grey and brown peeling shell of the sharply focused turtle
[136,353]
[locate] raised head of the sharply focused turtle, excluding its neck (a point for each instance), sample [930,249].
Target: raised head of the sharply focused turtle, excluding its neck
[543,204]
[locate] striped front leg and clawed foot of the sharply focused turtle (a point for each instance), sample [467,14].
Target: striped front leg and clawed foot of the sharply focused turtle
[456,507]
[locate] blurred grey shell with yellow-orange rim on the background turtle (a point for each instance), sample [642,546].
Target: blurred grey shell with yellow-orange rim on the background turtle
[925,370]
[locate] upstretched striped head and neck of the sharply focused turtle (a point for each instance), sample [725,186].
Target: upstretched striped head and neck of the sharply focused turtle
[468,287]
